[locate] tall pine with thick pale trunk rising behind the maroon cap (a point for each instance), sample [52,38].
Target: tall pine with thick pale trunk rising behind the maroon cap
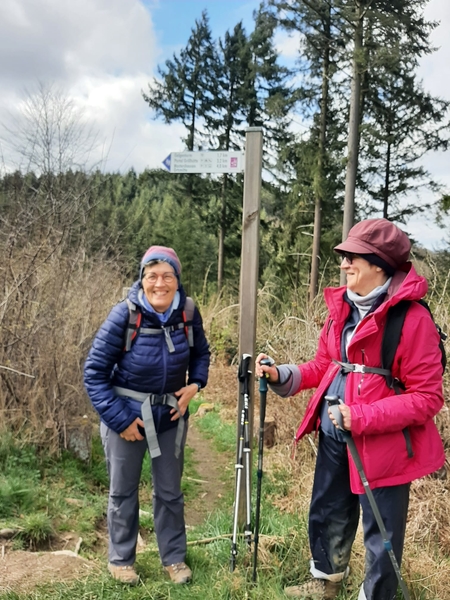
[389,37]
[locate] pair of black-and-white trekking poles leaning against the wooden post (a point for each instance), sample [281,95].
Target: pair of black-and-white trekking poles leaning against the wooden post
[243,449]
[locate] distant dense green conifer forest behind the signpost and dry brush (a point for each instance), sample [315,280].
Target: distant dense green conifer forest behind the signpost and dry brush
[121,215]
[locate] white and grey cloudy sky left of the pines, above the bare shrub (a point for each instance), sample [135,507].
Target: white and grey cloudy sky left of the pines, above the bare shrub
[102,53]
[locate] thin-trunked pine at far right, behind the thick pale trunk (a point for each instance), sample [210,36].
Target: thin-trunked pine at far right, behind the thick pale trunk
[401,123]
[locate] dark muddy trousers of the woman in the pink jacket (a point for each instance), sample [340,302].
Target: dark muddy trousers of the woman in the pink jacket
[334,515]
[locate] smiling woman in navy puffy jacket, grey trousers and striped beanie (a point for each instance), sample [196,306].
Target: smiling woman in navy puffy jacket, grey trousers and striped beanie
[148,360]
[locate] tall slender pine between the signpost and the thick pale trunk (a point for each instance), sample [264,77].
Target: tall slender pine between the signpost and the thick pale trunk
[318,55]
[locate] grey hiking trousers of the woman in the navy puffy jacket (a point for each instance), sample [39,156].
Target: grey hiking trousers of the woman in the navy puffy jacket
[124,464]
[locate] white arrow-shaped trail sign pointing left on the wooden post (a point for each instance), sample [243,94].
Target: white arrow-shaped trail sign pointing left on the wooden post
[214,161]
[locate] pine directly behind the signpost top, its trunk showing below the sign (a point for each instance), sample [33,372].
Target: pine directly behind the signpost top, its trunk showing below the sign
[250,92]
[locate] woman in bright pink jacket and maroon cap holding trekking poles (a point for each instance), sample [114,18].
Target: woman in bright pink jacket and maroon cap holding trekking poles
[395,435]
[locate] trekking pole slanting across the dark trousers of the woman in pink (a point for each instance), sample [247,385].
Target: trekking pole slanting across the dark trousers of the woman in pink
[333,403]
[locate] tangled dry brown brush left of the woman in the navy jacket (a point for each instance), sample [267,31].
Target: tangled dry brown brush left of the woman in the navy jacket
[51,305]
